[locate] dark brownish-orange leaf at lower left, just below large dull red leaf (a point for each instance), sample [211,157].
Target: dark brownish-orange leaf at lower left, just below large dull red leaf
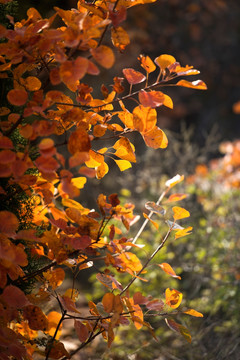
[36,318]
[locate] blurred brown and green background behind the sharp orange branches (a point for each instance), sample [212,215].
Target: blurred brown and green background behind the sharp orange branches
[204,34]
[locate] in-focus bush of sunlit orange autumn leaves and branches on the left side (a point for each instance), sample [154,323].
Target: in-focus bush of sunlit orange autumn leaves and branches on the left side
[54,111]
